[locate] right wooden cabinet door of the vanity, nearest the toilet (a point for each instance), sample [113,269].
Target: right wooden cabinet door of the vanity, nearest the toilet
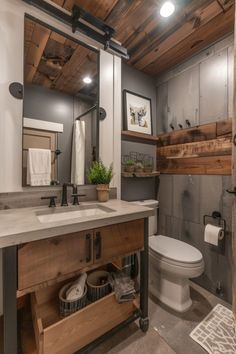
[117,240]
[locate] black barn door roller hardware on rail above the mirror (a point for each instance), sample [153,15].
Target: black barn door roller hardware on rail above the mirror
[84,22]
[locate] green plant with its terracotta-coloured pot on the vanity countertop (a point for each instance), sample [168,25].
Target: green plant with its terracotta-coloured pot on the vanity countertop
[101,175]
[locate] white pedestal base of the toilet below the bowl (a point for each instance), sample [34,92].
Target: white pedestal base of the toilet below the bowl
[170,290]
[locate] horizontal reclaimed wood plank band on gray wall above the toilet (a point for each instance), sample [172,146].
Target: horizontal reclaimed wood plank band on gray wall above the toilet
[203,150]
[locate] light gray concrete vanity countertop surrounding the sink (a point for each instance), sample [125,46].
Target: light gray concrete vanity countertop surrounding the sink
[22,225]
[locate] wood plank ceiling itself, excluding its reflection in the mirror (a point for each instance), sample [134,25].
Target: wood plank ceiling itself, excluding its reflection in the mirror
[155,44]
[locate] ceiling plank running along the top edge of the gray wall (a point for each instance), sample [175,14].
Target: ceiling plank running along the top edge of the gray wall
[211,32]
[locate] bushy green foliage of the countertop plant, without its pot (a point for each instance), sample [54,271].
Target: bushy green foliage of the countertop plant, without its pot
[98,173]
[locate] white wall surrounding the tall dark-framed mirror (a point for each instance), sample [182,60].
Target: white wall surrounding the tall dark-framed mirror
[11,61]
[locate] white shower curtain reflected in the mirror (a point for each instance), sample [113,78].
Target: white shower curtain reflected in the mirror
[78,153]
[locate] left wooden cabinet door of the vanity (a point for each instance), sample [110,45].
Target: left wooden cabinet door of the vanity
[49,259]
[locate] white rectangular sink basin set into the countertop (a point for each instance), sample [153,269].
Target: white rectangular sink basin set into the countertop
[71,213]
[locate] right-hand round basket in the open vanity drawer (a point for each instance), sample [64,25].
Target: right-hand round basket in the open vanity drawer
[97,290]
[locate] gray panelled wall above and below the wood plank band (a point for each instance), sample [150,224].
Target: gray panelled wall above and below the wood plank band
[202,94]
